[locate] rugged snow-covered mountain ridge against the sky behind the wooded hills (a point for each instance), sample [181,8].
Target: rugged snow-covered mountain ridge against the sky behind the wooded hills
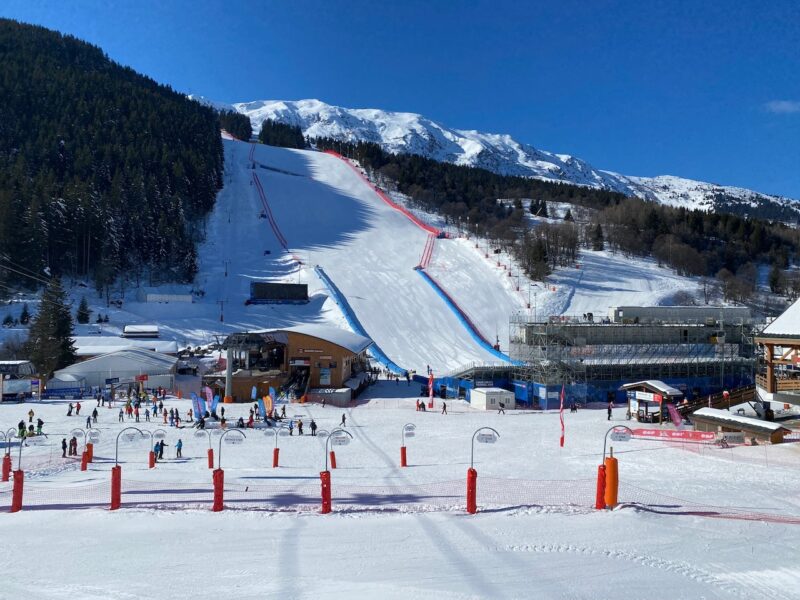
[412,133]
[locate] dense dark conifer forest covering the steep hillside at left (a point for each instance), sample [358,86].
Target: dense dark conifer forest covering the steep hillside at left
[102,171]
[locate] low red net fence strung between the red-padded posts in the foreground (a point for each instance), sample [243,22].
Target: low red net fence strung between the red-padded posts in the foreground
[493,494]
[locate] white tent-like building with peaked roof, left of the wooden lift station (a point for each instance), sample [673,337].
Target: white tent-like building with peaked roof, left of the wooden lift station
[122,368]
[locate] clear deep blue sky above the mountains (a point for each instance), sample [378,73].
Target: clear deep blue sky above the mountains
[707,90]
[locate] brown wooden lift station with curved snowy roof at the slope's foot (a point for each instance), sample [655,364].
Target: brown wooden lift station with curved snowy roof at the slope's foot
[295,359]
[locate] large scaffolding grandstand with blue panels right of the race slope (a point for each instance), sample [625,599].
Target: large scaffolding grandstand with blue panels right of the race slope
[593,360]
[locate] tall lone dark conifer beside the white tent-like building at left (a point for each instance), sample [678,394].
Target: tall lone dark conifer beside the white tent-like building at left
[50,338]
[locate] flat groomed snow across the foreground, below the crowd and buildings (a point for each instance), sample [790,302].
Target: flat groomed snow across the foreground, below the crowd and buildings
[367,549]
